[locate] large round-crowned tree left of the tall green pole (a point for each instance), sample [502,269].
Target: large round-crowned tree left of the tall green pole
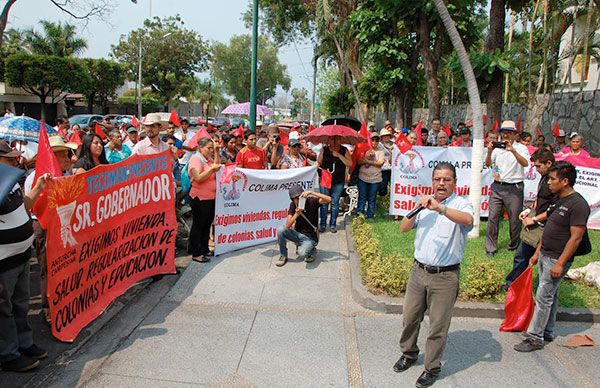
[171,56]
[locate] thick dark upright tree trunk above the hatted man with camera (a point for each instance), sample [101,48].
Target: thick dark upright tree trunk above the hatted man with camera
[495,41]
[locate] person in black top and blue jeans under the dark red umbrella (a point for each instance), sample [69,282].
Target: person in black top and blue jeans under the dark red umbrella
[334,158]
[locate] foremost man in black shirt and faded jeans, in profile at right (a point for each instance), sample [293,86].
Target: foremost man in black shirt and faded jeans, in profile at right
[564,231]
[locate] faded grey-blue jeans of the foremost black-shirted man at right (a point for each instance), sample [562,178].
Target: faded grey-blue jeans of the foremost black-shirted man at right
[546,300]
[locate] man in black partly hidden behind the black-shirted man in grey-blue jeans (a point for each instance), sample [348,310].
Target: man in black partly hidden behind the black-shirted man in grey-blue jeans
[542,160]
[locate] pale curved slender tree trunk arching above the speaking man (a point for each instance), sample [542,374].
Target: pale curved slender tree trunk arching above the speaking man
[477,156]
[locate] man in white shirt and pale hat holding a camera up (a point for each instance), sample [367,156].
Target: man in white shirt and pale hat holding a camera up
[509,158]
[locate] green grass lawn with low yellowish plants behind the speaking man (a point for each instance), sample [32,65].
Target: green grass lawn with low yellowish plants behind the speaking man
[481,277]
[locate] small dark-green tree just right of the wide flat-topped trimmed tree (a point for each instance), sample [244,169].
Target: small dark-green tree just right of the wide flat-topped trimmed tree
[103,78]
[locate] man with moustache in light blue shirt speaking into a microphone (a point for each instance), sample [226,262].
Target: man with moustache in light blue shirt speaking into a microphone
[442,227]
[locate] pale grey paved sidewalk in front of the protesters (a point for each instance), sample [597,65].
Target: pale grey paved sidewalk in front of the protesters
[240,321]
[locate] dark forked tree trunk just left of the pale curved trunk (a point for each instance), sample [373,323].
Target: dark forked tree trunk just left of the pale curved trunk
[430,63]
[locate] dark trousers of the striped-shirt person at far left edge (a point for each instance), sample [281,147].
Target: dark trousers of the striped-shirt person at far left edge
[15,331]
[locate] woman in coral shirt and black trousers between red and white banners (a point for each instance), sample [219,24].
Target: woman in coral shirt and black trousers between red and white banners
[202,170]
